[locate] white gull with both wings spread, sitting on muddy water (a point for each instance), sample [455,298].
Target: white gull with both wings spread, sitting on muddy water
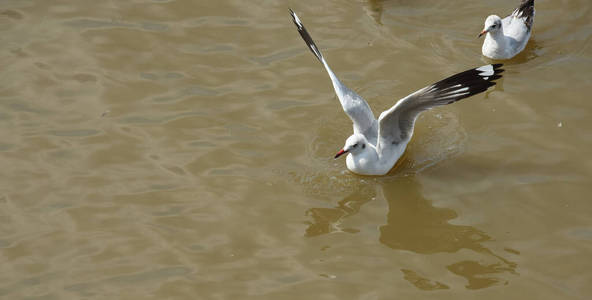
[376,145]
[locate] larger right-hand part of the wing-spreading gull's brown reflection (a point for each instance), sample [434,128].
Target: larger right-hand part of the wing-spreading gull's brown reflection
[413,224]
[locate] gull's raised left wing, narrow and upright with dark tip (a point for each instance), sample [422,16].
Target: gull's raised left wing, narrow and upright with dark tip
[354,106]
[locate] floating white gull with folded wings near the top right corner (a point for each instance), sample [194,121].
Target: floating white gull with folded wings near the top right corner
[508,36]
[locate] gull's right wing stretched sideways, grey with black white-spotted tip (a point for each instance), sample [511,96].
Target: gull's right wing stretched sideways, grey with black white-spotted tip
[396,124]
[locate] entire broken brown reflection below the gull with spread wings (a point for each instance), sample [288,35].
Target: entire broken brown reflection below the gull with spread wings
[414,224]
